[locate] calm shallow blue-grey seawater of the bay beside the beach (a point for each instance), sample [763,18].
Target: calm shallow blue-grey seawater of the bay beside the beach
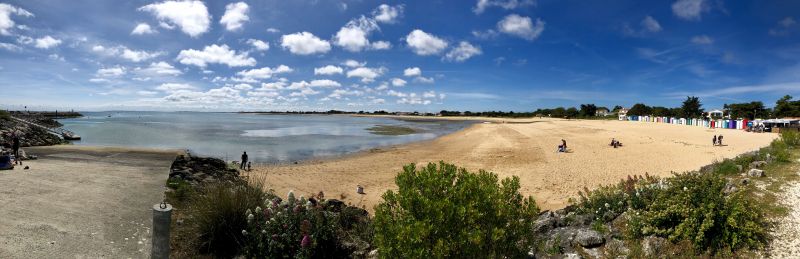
[266,138]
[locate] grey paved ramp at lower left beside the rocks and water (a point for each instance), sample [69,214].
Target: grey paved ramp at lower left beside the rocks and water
[79,202]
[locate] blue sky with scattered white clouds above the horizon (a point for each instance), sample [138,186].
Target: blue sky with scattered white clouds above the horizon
[426,55]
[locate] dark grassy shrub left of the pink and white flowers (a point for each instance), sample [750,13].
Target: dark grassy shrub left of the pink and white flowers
[218,215]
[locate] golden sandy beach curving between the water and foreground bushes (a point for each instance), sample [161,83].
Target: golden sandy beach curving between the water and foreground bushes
[525,148]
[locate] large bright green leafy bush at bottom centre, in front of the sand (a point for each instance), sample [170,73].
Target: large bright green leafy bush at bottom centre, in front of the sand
[443,211]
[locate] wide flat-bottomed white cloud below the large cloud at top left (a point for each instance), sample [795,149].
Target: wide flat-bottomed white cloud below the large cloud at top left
[215,54]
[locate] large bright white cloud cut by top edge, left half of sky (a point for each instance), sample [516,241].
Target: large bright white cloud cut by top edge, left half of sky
[192,16]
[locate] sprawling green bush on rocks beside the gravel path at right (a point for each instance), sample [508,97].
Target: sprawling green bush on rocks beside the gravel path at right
[694,208]
